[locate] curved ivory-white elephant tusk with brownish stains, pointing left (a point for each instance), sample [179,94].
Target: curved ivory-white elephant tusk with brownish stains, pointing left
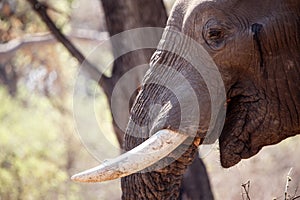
[146,154]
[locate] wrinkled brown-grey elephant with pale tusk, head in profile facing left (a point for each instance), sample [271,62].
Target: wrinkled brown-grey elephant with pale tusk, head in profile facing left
[255,46]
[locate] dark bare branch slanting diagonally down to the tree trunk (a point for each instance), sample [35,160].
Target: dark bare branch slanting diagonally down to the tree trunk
[93,72]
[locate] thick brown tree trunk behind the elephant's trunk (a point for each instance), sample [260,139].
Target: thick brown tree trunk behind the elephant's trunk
[123,15]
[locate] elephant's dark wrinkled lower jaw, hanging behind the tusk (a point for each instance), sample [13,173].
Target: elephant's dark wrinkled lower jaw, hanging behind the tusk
[249,126]
